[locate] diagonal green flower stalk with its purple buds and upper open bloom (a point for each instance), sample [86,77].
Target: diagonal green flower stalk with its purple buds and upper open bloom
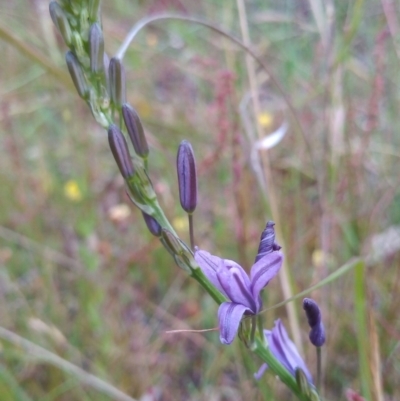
[226,282]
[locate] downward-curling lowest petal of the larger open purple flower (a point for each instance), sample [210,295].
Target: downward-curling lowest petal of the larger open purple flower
[229,317]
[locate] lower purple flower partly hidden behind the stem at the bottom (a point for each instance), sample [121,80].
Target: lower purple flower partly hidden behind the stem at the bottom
[284,351]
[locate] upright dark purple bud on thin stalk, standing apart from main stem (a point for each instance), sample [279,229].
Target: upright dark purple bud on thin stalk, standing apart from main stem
[187,177]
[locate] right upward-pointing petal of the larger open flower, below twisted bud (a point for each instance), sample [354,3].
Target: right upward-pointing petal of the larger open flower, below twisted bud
[264,271]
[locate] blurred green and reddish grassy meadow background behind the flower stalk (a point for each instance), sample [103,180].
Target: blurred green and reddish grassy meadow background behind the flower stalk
[81,277]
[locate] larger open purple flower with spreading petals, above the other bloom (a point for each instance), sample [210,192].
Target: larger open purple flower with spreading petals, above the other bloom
[243,291]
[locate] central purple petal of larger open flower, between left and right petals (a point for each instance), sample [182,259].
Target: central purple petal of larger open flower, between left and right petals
[236,284]
